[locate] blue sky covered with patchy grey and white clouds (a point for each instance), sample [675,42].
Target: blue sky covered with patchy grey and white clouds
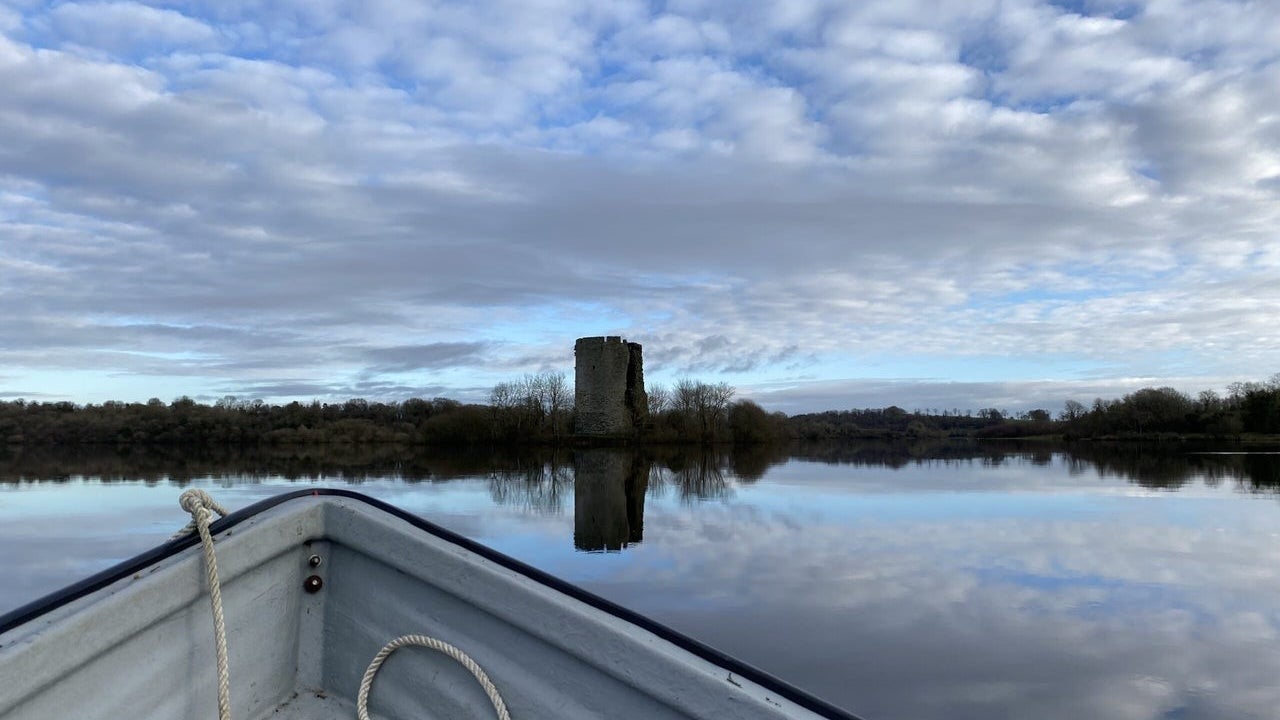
[825,204]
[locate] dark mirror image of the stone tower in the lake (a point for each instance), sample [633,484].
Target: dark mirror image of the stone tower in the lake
[609,500]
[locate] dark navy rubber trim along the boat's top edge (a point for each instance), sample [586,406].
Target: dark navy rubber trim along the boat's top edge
[53,601]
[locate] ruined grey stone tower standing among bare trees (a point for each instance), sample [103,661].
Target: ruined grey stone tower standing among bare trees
[609,388]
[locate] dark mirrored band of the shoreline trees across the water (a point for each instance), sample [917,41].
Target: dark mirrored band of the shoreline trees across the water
[540,480]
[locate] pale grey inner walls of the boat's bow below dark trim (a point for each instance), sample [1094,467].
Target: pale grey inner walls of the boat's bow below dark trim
[138,641]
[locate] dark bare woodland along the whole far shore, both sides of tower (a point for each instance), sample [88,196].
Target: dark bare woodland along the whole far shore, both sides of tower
[540,411]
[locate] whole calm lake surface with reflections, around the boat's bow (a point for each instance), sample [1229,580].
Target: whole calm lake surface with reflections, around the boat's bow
[899,582]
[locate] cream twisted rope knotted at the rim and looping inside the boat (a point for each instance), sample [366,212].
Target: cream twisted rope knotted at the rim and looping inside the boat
[202,508]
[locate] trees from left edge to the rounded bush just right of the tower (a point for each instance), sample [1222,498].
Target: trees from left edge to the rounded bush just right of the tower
[537,409]
